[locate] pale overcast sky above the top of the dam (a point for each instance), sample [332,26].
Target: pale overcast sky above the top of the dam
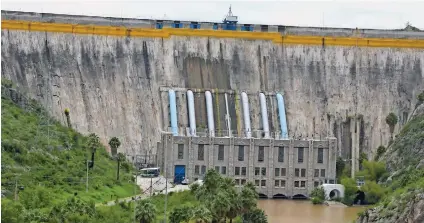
[348,14]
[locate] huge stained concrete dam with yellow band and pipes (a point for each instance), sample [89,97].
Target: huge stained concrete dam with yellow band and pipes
[122,77]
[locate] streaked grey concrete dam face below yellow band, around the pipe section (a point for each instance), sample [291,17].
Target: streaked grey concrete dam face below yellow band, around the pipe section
[111,84]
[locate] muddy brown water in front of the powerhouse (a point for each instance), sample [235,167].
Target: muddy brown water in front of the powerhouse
[303,211]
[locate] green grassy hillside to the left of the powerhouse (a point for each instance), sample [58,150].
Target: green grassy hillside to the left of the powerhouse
[45,163]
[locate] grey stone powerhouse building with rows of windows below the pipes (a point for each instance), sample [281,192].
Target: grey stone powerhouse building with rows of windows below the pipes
[276,167]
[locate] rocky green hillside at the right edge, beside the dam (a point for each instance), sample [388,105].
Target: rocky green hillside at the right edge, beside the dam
[405,160]
